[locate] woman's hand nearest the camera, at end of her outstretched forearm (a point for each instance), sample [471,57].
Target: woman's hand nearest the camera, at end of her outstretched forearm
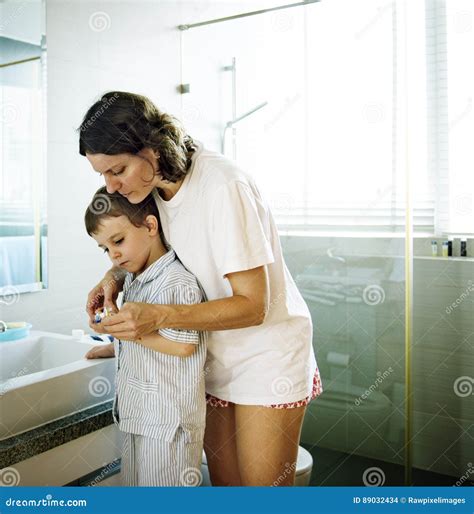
[133,321]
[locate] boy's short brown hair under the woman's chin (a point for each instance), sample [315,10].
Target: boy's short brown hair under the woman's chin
[111,205]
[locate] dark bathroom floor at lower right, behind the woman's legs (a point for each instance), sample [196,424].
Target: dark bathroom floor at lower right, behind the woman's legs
[334,468]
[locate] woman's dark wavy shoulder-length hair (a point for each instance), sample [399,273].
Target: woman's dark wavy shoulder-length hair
[123,122]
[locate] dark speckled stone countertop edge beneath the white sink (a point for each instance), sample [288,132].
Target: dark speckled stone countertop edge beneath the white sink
[38,440]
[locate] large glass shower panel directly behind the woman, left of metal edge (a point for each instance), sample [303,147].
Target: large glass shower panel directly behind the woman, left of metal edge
[325,138]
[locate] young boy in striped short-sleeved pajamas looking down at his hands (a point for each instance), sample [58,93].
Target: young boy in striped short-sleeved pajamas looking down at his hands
[160,399]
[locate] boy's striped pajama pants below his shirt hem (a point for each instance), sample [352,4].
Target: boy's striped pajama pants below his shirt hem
[150,462]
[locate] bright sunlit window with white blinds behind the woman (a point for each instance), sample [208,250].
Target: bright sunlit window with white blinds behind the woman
[357,94]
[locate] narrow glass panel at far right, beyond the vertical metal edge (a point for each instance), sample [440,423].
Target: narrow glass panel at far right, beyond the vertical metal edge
[443,293]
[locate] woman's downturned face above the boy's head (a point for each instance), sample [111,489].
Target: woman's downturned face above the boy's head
[133,176]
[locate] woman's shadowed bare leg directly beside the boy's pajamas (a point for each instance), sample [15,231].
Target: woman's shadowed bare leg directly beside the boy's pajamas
[219,445]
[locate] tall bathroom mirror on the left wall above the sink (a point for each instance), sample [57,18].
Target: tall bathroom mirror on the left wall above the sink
[23,225]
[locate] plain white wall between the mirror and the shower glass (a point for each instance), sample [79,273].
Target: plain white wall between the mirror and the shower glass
[93,47]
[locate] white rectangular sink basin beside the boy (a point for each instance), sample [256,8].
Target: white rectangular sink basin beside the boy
[45,377]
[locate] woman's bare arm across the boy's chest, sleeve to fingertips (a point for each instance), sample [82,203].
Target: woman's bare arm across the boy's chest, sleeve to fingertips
[245,308]
